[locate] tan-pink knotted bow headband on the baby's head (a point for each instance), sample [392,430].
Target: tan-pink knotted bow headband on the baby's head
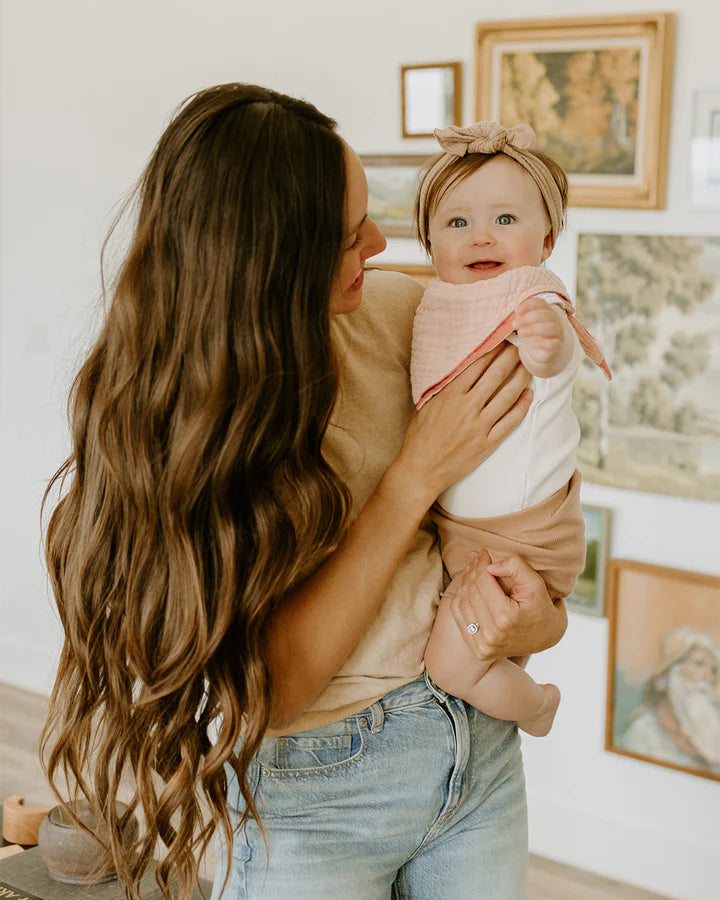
[491,138]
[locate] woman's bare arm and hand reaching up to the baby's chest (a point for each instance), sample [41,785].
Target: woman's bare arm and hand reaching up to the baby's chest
[319,624]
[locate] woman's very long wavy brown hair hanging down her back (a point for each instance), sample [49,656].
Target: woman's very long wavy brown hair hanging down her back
[196,493]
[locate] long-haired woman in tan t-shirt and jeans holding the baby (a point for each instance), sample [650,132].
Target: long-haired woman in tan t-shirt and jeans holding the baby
[244,540]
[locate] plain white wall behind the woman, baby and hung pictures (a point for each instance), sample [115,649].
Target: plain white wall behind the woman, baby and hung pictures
[87,87]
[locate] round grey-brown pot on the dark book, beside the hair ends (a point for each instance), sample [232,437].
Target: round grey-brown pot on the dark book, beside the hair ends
[72,855]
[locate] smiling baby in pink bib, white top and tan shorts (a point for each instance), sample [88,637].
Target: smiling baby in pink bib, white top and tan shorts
[489,211]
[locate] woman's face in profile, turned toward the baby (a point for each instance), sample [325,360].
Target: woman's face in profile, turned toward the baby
[362,240]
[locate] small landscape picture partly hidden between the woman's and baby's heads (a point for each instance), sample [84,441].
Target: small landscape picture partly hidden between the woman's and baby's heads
[393,183]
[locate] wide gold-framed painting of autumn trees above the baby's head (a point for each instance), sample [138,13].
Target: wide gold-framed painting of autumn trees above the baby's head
[597,91]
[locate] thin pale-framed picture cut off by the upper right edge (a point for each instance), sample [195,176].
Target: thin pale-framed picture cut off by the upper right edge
[705,151]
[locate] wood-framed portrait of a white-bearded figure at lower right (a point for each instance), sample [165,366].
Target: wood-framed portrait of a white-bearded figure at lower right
[663,703]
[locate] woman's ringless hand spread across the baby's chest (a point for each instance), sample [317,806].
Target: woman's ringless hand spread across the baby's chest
[462,425]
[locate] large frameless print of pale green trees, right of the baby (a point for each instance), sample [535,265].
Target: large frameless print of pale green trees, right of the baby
[653,304]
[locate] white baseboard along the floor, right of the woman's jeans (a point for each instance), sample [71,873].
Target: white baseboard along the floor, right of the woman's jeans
[630,851]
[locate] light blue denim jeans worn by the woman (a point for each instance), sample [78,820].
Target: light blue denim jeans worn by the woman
[418,796]
